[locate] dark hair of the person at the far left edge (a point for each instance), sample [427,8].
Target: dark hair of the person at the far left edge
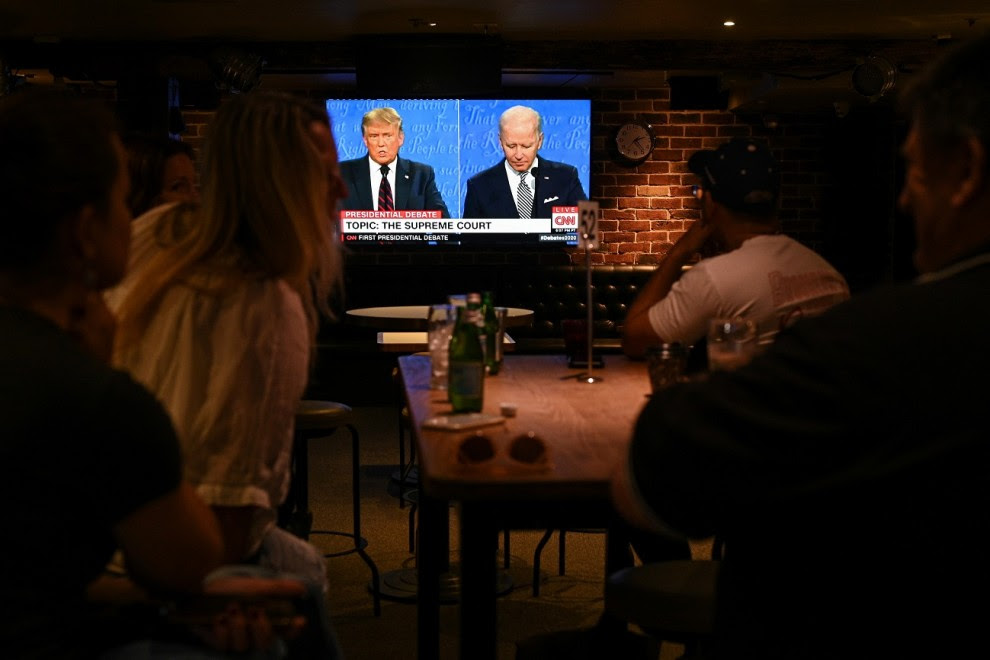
[56,156]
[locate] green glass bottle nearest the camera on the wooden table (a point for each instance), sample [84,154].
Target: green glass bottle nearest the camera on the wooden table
[466,367]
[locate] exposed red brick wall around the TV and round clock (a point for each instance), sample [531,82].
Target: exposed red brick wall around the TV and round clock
[645,209]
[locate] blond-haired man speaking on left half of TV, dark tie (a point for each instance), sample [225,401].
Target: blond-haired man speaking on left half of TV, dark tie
[383,181]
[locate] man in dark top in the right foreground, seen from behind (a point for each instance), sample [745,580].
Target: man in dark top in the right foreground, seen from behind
[846,468]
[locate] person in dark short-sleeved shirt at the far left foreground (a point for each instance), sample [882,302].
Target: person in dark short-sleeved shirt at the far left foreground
[90,460]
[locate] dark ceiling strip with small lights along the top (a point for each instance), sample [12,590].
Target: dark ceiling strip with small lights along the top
[327,20]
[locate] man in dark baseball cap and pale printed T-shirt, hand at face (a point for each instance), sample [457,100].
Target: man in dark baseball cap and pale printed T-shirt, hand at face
[759,273]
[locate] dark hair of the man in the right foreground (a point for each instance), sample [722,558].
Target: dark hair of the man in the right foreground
[950,99]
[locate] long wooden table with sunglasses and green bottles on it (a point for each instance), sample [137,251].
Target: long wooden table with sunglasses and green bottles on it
[585,428]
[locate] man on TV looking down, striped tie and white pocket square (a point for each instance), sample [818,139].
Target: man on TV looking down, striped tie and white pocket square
[523,185]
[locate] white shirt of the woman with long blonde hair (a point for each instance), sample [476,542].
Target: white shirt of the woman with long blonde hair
[230,366]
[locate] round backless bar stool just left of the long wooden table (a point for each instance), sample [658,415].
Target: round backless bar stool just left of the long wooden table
[319,419]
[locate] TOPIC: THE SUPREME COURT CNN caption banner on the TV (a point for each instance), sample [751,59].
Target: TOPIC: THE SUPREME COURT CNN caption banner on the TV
[429,226]
